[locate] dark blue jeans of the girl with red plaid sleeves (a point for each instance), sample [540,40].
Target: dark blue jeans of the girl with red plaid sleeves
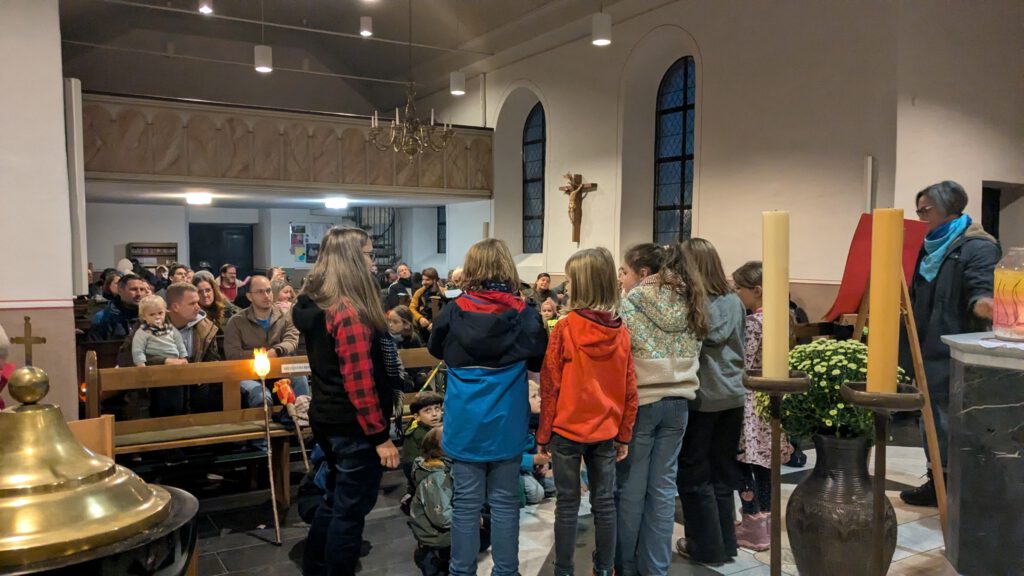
[353,481]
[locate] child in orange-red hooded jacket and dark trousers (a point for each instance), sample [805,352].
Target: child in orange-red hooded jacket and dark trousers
[588,405]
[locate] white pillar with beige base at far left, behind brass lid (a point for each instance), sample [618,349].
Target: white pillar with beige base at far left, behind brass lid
[35,214]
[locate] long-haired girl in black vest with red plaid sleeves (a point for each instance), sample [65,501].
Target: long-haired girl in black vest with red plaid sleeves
[354,364]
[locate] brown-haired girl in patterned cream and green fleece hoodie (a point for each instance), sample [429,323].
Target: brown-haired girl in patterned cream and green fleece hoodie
[665,311]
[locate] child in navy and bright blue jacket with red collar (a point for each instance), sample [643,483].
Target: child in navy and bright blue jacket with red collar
[489,338]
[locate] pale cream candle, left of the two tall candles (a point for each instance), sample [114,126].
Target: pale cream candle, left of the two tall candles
[776,295]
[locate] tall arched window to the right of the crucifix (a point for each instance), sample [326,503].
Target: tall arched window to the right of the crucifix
[674,153]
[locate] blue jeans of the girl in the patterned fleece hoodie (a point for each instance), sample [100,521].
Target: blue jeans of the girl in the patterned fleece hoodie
[647,489]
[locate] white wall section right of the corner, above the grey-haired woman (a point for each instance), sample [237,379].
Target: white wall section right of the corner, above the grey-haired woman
[961,115]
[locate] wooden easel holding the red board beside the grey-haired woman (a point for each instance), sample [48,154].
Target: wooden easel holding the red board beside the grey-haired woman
[931,436]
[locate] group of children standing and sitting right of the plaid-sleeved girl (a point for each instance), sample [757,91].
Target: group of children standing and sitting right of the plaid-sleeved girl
[625,383]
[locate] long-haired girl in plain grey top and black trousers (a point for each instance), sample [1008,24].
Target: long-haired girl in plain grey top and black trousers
[708,468]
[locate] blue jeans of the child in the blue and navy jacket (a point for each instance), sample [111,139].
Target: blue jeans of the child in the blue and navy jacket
[498,484]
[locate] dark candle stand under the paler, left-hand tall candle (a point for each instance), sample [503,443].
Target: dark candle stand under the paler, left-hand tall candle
[798,383]
